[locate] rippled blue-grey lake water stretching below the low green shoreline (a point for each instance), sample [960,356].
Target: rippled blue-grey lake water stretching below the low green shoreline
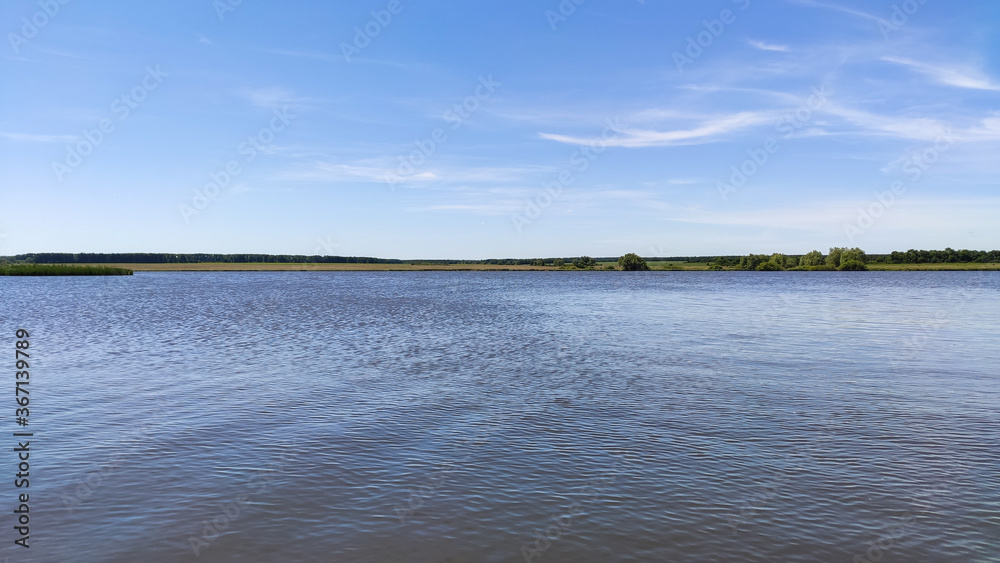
[481,417]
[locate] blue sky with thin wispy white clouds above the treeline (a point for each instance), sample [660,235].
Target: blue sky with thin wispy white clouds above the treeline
[499,129]
